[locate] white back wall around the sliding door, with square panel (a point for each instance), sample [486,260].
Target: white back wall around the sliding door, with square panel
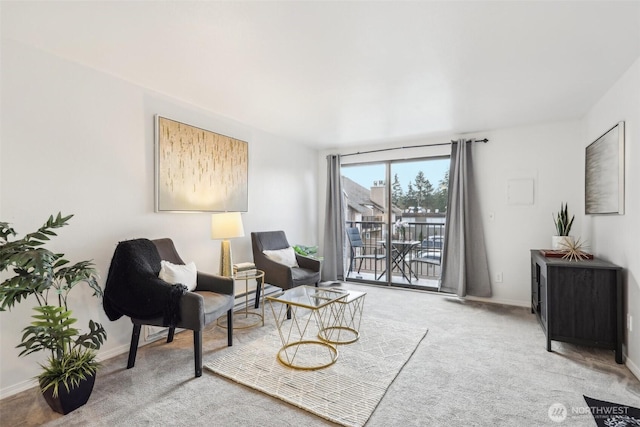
[544,153]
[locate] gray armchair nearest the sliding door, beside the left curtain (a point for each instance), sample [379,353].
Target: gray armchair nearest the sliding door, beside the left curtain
[308,272]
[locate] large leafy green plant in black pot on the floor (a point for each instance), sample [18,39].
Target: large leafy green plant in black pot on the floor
[67,378]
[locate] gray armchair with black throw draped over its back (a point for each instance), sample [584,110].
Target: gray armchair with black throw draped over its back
[133,289]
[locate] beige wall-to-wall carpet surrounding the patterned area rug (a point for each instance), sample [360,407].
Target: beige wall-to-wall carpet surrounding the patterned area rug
[479,365]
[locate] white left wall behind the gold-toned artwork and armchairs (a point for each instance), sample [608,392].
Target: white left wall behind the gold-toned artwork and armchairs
[79,141]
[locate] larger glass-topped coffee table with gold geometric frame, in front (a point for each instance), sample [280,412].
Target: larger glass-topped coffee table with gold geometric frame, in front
[311,310]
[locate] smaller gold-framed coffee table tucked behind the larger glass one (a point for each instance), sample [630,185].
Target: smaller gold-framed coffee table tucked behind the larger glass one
[349,319]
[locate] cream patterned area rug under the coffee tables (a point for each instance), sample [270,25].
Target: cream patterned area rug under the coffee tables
[346,392]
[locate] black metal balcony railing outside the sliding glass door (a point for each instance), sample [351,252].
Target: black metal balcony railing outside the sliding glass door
[421,262]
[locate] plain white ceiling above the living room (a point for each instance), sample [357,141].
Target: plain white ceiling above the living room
[333,74]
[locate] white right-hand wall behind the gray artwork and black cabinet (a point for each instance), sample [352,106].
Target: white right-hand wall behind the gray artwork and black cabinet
[617,237]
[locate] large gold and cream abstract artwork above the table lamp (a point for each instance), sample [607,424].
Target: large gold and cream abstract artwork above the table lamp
[198,170]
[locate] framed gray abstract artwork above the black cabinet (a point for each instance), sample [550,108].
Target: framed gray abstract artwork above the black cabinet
[604,173]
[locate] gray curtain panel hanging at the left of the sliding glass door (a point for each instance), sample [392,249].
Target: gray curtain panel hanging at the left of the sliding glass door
[334,232]
